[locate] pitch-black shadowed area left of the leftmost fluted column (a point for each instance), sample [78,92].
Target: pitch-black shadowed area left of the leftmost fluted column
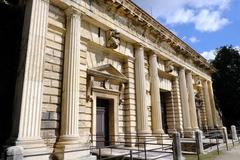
[10,39]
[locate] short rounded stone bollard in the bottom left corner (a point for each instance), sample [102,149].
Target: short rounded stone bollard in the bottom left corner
[14,153]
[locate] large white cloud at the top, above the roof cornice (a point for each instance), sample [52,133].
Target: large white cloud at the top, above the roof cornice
[206,15]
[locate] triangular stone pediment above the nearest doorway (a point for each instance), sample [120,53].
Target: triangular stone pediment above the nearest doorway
[107,71]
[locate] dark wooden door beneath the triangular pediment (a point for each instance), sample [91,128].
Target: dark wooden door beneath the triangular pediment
[102,123]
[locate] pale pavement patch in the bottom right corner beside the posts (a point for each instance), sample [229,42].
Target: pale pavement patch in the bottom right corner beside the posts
[233,154]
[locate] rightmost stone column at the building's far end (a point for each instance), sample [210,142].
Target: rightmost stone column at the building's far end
[214,111]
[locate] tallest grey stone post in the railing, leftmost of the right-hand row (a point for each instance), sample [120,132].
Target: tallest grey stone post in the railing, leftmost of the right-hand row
[177,151]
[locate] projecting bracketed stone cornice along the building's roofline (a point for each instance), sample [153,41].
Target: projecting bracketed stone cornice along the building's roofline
[163,34]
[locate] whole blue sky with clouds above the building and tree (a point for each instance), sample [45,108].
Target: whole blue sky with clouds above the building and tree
[204,24]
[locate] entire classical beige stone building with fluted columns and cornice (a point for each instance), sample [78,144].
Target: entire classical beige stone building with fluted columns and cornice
[103,67]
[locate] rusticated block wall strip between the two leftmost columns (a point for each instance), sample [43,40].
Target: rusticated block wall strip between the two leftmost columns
[52,76]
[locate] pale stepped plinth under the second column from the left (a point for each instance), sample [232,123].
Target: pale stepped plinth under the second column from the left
[71,151]
